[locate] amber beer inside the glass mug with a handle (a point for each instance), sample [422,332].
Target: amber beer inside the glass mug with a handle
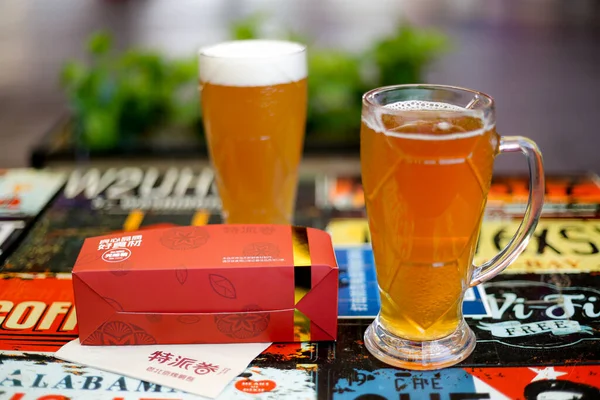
[425,190]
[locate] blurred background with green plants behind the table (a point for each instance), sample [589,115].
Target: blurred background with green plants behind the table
[88,79]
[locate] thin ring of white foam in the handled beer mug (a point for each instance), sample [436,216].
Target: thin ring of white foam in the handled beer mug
[376,124]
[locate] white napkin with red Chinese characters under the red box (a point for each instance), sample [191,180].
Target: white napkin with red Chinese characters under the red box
[202,369]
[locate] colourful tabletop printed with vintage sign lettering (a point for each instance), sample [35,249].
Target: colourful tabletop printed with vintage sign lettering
[537,324]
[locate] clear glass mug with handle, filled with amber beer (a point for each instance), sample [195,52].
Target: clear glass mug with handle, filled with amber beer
[427,154]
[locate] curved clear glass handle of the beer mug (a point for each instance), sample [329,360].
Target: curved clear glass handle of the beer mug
[511,144]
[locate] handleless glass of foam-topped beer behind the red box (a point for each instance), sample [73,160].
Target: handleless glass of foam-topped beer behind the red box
[254,101]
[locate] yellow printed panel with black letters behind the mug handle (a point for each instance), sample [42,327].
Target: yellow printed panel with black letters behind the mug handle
[558,245]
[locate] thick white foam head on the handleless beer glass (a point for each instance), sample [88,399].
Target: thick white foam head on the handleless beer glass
[253,63]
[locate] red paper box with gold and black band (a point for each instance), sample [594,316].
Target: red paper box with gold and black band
[209,284]
